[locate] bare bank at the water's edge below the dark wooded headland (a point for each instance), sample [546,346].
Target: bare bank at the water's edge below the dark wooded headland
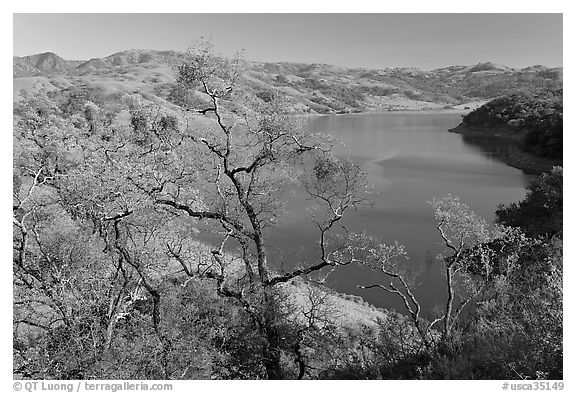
[526,162]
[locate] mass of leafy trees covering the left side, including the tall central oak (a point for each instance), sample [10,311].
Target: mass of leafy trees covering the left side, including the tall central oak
[136,185]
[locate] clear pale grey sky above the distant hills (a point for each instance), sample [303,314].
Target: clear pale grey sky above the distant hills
[354,40]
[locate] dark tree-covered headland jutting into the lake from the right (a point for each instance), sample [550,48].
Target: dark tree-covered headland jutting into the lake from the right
[536,119]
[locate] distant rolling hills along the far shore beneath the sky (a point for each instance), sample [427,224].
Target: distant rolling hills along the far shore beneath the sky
[311,88]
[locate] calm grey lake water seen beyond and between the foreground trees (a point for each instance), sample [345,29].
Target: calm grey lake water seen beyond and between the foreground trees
[410,159]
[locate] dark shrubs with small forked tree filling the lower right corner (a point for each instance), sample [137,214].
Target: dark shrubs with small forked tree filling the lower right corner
[503,316]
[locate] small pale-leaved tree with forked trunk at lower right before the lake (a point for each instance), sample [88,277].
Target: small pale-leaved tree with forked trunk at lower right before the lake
[466,238]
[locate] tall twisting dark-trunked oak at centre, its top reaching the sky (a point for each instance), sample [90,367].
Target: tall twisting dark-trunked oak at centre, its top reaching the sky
[252,150]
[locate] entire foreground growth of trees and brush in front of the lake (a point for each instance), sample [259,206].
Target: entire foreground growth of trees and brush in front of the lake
[111,281]
